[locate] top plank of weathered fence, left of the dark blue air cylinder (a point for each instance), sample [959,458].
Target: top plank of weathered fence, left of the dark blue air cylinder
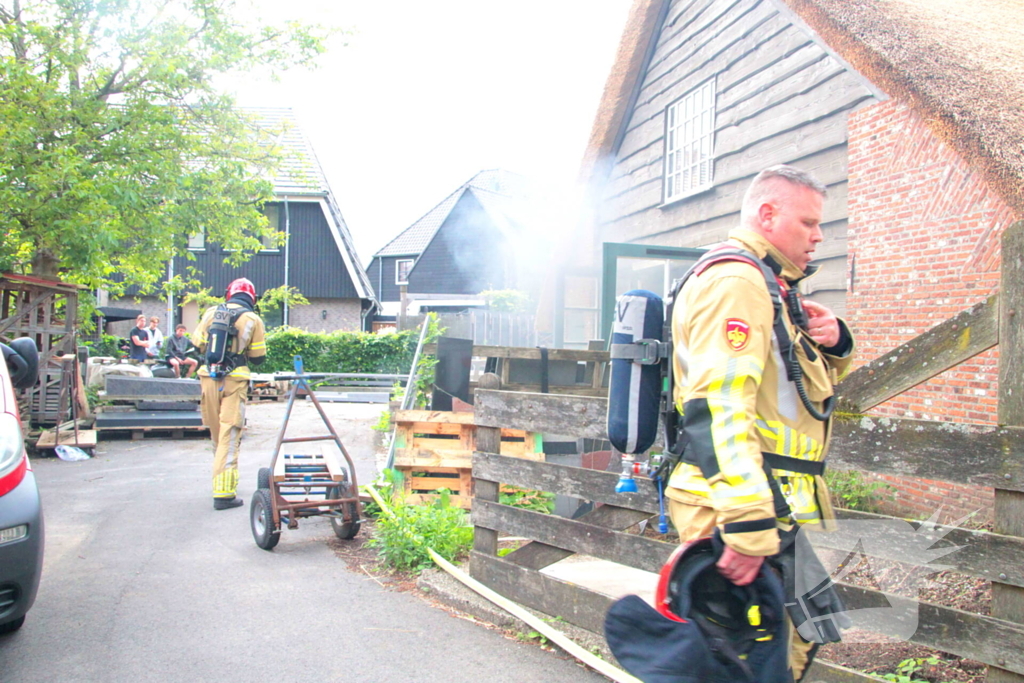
[575,416]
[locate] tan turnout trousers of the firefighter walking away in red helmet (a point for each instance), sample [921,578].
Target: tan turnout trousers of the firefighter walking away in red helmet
[225,414]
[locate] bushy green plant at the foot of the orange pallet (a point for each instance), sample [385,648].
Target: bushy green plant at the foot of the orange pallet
[402,540]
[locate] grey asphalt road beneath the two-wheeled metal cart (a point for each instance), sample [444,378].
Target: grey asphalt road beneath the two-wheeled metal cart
[144,581]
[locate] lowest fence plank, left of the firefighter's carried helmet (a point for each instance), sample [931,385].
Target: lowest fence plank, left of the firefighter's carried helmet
[537,591]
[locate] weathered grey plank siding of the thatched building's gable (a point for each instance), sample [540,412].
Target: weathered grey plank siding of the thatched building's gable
[781,99]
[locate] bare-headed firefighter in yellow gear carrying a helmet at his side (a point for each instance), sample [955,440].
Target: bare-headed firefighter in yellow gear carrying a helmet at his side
[734,393]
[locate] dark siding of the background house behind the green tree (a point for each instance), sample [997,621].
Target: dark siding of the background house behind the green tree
[316,267]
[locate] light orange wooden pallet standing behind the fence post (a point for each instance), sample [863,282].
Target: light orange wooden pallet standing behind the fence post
[435,451]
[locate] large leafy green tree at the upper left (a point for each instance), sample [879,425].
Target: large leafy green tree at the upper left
[117,145]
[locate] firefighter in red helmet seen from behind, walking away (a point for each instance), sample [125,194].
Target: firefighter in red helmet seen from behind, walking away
[224,401]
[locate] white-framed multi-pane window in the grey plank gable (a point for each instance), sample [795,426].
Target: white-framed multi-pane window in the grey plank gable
[690,143]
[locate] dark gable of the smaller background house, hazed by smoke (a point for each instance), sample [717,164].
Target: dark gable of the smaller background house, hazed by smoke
[466,257]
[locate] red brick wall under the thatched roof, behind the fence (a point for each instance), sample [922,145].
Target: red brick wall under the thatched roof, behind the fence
[924,245]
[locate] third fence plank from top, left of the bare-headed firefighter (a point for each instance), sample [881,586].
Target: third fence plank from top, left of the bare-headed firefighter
[628,549]
